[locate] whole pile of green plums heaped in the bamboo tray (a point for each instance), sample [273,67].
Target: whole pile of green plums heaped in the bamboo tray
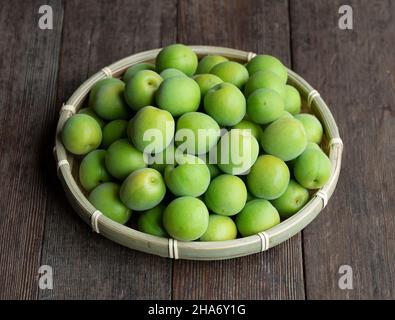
[206,150]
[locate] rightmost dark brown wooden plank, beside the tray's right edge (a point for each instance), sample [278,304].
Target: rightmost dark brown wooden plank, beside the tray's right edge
[354,71]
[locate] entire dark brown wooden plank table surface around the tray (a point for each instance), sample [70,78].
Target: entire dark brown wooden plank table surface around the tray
[354,70]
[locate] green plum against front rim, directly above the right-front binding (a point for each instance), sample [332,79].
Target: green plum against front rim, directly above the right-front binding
[257,216]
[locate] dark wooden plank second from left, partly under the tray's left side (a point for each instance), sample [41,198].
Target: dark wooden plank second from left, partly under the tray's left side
[86,265]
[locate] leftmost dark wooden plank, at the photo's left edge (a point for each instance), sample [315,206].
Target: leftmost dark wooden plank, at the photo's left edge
[29,64]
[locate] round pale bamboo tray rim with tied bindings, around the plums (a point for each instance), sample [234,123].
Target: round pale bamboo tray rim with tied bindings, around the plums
[134,239]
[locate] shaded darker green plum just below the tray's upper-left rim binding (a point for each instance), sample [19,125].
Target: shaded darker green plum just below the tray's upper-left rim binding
[107,99]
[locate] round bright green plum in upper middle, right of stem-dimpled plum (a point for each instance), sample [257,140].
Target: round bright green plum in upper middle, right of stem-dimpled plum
[178,95]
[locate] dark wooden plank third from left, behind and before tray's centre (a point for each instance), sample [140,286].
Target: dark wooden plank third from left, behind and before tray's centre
[258,26]
